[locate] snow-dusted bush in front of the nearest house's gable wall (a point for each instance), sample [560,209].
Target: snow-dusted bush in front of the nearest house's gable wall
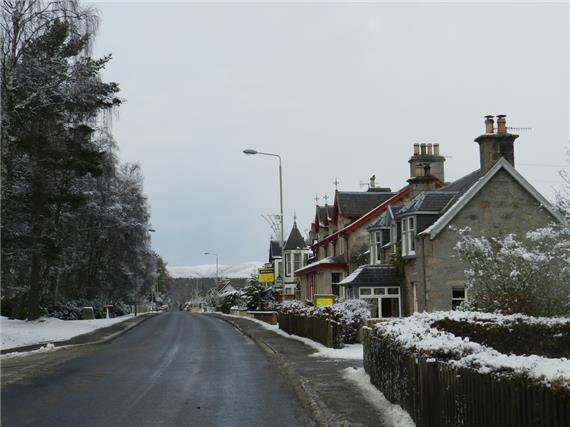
[526,275]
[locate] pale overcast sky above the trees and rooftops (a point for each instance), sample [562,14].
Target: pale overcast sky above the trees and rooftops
[339,90]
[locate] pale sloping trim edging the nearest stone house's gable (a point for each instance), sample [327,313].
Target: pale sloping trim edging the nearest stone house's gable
[471,191]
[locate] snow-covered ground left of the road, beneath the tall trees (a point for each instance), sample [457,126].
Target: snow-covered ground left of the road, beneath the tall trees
[18,333]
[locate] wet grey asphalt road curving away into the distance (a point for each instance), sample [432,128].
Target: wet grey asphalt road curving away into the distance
[175,369]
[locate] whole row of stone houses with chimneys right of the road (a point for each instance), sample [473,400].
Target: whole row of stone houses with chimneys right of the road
[395,248]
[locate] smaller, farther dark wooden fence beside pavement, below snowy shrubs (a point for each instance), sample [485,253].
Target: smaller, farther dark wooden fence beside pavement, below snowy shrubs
[324,331]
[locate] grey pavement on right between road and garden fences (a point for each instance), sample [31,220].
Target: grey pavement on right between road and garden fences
[332,399]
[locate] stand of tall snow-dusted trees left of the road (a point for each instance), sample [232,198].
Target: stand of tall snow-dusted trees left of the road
[74,222]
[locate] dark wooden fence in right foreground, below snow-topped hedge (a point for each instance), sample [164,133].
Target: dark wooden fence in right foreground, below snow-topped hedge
[437,394]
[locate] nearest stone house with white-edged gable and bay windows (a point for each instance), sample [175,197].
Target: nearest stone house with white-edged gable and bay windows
[412,266]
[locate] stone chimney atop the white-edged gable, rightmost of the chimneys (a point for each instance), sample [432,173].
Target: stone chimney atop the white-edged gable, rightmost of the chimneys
[493,146]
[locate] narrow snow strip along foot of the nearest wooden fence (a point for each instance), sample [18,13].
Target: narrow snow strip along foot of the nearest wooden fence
[392,414]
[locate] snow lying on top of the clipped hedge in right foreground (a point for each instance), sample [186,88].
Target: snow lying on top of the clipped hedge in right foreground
[418,335]
